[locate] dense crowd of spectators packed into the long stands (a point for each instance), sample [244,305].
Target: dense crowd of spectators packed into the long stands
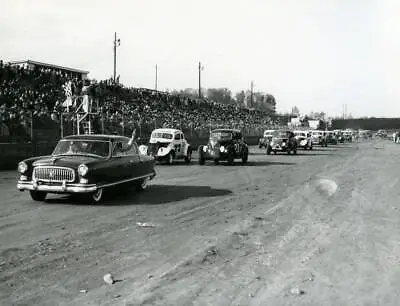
[39,93]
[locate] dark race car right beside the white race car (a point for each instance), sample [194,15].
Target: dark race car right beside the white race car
[224,145]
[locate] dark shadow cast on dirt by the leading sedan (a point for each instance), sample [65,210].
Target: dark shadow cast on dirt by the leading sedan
[154,194]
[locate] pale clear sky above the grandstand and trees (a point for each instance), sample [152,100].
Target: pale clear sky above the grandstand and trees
[316,55]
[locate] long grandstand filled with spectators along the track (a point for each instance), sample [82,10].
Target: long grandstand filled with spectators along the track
[32,98]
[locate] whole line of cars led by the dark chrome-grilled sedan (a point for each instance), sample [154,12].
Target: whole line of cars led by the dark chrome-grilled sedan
[88,164]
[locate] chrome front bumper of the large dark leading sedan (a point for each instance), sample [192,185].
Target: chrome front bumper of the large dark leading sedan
[53,188]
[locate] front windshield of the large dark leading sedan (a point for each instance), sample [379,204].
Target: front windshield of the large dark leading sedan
[82,147]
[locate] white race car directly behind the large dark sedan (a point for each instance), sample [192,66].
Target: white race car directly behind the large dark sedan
[168,145]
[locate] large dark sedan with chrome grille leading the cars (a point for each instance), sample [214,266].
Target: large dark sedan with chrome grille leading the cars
[86,164]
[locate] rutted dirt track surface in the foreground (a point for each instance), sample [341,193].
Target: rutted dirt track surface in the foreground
[325,222]
